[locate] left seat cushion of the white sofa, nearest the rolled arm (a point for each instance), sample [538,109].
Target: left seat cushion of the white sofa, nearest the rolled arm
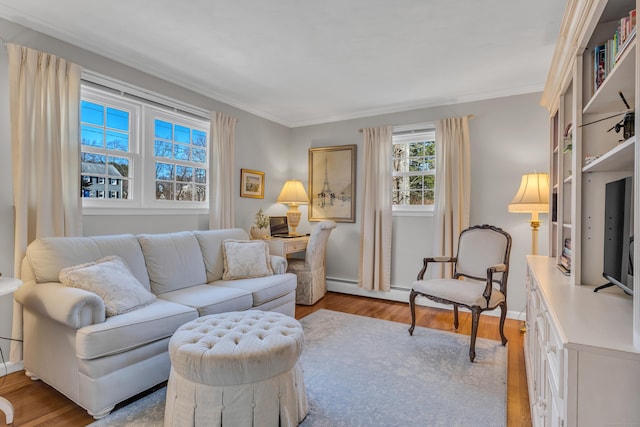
[119,334]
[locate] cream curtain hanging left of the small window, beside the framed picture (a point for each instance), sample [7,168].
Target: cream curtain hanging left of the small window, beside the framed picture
[375,238]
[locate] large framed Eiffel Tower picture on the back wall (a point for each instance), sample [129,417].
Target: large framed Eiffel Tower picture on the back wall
[332,183]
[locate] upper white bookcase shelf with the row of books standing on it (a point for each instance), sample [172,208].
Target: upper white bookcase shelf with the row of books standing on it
[622,78]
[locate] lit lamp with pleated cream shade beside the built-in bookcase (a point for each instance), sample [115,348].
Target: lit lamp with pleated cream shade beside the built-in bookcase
[532,197]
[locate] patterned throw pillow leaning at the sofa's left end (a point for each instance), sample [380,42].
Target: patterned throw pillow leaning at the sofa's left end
[111,279]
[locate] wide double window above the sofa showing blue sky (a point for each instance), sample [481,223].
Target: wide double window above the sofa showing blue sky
[141,155]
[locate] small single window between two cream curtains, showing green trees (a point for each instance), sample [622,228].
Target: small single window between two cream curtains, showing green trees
[414,169]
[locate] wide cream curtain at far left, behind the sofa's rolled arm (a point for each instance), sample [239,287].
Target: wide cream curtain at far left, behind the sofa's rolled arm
[44,98]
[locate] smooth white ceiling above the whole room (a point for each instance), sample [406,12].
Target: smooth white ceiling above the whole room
[299,62]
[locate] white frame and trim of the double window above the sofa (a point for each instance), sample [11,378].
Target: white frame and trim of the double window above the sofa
[142,112]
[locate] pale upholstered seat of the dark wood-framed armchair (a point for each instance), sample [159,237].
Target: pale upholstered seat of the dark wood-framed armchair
[466,292]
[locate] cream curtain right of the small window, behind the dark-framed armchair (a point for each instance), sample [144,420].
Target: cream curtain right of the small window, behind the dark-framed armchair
[453,188]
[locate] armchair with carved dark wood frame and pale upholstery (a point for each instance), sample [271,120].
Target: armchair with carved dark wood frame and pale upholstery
[479,282]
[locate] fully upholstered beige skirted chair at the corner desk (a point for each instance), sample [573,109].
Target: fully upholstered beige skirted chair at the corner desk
[311,270]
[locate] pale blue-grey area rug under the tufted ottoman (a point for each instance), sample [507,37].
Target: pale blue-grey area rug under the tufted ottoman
[361,371]
